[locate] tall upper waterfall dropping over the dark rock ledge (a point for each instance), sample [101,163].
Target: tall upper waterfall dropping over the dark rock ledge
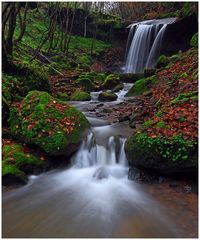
[144,44]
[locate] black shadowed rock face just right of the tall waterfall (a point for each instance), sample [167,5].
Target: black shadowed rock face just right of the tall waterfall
[178,35]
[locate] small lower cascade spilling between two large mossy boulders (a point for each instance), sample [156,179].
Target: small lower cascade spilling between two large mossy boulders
[93,154]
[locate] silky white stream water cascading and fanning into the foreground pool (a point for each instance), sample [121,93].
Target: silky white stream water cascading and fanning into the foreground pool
[91,198]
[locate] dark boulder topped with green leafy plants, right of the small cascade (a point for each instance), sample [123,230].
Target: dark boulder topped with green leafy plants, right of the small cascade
[165,156]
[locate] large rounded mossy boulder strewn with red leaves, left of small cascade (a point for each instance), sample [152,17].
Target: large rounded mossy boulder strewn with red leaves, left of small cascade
[48,123]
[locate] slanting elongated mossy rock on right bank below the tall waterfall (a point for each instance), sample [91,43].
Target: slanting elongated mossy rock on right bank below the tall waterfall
[141,86]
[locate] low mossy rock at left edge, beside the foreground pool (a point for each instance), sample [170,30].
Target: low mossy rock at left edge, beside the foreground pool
[17,162]
